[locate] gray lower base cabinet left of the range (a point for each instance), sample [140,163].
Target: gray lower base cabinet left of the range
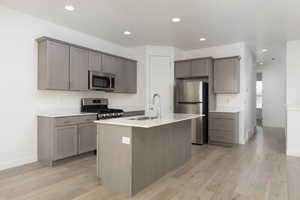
[62,137]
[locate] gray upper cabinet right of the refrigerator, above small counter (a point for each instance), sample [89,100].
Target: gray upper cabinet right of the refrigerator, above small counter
[227,75]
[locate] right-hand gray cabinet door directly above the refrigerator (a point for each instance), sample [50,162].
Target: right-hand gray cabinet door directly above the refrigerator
[200,68]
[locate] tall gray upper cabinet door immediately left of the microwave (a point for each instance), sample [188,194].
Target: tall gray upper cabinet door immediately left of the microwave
[79,62]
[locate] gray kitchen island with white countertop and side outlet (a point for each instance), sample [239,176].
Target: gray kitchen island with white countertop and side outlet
[134,152]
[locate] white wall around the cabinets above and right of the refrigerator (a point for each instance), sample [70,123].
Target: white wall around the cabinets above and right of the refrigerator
[245,101]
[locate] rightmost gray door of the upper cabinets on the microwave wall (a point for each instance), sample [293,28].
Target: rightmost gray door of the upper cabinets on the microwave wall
[129,79]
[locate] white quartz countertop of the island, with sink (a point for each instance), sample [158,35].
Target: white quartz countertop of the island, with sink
[172,118]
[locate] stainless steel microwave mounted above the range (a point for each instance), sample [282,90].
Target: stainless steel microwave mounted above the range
[101,81]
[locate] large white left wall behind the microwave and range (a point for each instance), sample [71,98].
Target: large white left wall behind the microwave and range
[21,101]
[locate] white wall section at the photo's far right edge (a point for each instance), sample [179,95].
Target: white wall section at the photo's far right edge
[293,97]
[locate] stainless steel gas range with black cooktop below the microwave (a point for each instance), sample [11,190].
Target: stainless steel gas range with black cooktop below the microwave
[100,106]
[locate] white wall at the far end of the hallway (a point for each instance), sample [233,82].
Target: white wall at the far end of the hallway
[274,94]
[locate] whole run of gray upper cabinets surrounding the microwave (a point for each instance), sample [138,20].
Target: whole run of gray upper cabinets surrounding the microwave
[64,66]
